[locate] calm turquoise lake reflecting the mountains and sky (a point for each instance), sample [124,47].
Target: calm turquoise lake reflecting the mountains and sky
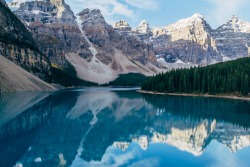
[120,127]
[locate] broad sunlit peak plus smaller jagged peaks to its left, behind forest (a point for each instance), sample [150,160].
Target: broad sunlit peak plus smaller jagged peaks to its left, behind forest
[184,43]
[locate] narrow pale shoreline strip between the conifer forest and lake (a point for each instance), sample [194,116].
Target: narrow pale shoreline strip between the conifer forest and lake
[197,95]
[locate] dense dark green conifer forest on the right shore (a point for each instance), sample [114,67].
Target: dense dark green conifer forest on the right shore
[231,77]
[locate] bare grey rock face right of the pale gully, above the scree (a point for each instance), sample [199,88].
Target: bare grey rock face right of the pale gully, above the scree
[104,36]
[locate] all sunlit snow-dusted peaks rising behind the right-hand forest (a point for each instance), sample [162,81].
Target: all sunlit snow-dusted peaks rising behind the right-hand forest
[191,41]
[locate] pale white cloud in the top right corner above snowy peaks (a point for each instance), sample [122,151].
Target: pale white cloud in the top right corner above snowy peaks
[225,9]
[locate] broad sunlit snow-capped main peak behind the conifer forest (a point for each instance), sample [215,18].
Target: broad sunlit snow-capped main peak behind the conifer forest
[188,40]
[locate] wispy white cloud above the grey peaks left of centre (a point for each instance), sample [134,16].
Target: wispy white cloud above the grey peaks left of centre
[112,8]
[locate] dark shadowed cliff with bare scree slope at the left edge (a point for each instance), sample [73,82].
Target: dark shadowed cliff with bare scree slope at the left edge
[18,49]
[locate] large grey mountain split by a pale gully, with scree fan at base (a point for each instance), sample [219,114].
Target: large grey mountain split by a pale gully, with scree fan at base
[85,44]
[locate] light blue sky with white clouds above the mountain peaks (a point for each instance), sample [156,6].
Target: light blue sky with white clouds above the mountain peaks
[160,13]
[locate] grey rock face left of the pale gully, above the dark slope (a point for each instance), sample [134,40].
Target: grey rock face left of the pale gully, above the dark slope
[54,29]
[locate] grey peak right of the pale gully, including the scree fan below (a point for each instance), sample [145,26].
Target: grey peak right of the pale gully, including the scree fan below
[112,53]
